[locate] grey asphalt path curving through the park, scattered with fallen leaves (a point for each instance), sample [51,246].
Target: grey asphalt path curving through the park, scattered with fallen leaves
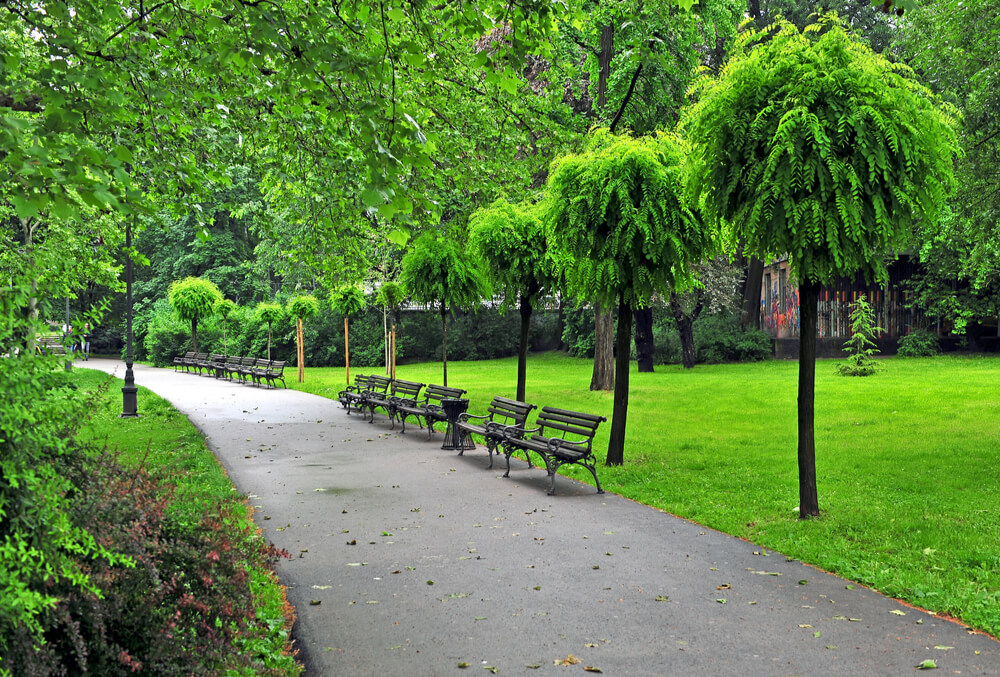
[410,560]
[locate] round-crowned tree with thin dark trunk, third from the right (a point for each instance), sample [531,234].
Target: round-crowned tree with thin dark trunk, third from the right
[510,239]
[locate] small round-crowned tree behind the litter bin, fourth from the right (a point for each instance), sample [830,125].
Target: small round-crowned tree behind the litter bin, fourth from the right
[438,271]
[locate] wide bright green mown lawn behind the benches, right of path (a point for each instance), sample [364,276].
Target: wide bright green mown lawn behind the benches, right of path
[908,461]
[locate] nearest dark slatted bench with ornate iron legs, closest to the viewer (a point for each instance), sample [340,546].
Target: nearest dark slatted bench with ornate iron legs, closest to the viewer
[561,437]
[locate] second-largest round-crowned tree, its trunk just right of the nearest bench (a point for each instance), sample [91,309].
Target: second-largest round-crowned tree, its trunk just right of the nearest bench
[619,210]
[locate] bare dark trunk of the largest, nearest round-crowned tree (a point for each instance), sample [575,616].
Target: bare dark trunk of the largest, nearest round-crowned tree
[808,498]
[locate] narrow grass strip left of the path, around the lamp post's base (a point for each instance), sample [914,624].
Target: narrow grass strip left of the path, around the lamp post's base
[164,442]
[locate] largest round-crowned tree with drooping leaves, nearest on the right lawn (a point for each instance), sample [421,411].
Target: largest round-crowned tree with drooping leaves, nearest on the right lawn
[811,144]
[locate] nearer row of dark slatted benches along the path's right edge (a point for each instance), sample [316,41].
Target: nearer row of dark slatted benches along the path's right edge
[559,436]
